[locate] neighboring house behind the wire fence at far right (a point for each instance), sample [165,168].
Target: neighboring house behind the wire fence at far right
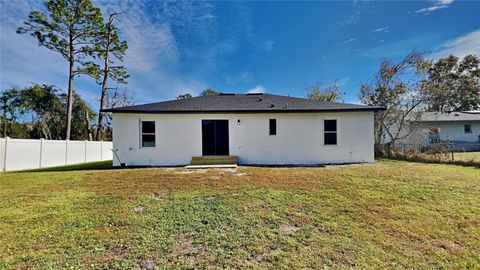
[458,128]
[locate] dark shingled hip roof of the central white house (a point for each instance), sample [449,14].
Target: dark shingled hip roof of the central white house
[242,103]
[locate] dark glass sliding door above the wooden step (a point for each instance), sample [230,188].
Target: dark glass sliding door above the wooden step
[215,137]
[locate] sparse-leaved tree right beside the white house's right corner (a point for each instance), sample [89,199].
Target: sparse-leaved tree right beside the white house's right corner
[395,87]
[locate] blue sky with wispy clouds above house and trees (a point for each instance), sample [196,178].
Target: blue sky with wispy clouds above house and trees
[273,47]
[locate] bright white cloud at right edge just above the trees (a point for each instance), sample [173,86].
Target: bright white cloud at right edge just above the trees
[461,46]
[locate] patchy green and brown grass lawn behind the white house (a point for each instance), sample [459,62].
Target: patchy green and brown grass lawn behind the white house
[389,215]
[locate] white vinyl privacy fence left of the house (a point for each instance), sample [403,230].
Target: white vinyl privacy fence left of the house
[22,154]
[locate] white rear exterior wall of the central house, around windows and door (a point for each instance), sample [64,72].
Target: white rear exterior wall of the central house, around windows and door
[299,138]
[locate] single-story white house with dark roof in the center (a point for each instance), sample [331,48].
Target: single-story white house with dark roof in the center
[256,128]
